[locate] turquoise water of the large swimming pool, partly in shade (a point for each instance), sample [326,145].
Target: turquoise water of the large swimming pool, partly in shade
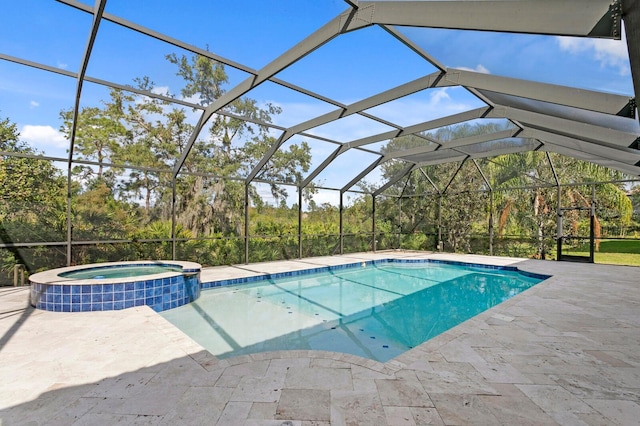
[377,311]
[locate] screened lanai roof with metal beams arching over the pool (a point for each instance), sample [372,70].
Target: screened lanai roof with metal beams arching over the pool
[351,75]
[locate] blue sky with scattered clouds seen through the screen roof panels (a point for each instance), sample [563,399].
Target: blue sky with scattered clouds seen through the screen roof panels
[349,68]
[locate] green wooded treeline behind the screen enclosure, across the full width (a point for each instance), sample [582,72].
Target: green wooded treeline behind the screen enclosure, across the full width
[455,203]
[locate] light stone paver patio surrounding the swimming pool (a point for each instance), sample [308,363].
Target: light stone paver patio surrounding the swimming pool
[566,351]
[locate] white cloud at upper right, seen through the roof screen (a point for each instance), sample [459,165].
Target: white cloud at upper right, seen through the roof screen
[610,53]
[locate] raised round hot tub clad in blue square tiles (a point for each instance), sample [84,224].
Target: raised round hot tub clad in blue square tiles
[161,285]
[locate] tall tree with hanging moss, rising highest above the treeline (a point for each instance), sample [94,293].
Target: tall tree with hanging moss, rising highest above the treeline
[230,148]
